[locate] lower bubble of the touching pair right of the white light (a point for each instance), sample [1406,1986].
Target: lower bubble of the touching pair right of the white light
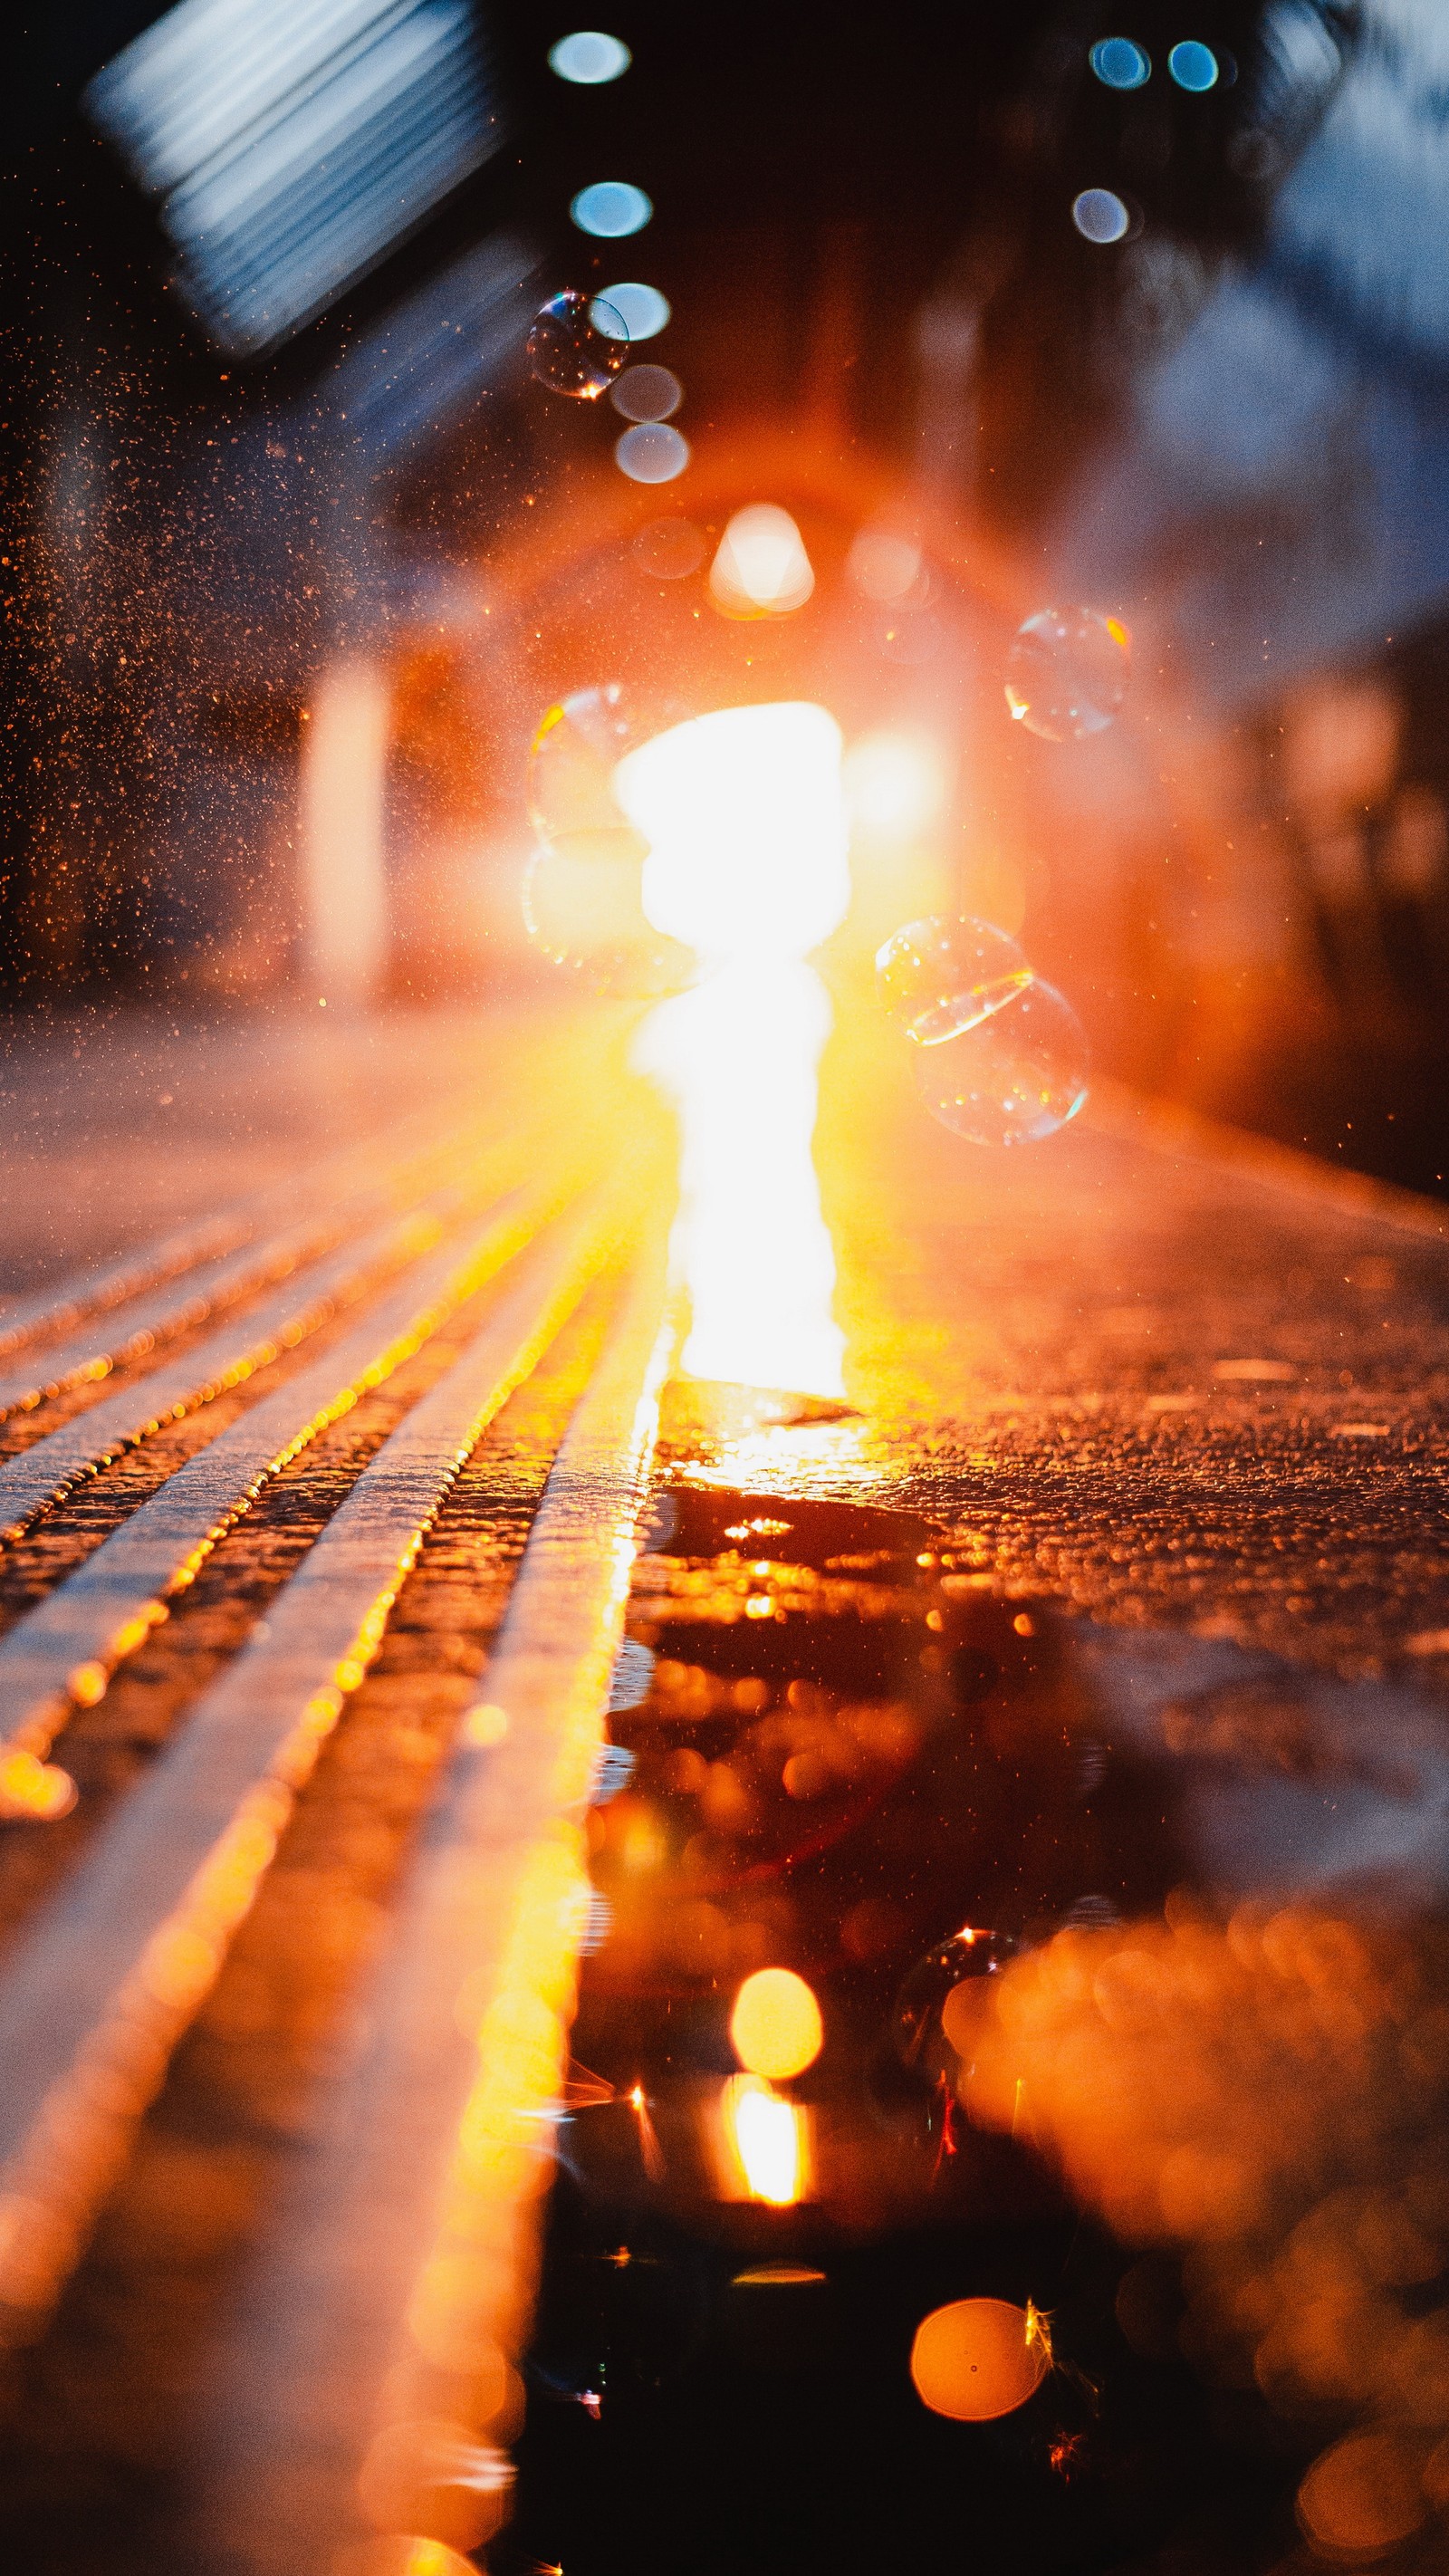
[1010,1075]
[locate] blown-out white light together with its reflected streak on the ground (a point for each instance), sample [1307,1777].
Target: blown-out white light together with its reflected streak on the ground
[748,864]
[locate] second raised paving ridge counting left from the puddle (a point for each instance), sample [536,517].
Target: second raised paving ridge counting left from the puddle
[109,1977]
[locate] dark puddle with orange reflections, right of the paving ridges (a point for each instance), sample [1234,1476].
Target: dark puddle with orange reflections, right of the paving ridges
[1023,2070]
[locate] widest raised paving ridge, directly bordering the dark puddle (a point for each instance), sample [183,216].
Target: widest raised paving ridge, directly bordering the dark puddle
[369,2363]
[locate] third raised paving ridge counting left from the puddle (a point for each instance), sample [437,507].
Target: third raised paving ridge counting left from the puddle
[63,1653]
